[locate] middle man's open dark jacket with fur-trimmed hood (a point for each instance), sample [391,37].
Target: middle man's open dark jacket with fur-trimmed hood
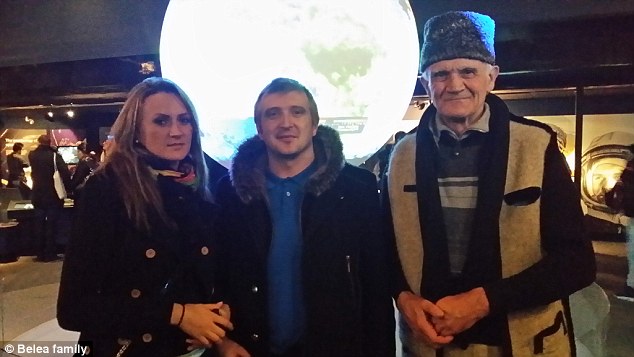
[348,306]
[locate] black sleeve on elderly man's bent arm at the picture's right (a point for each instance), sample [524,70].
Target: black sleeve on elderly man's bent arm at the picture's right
[568,263]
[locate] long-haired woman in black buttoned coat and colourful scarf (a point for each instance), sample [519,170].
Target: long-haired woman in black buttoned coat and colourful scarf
[138,274]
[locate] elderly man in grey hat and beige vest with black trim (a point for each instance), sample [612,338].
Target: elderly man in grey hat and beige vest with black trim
[487,222]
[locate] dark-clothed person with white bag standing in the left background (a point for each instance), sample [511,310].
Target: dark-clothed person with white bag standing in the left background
[48,205]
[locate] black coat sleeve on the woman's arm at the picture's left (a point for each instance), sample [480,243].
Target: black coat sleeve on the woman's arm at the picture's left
[82,304]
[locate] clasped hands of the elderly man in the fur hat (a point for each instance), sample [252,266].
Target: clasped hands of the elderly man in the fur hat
[437,324]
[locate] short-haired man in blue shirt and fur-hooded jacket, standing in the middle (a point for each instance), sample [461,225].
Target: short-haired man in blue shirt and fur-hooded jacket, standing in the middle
[304,250]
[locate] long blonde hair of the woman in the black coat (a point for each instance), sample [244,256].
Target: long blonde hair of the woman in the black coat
[126,159]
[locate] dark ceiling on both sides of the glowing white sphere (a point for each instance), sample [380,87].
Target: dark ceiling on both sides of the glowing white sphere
[89,52]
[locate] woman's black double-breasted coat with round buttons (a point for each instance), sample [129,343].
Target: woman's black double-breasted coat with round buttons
[120,284]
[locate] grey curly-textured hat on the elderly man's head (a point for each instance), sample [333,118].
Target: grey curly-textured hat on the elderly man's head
[458,34]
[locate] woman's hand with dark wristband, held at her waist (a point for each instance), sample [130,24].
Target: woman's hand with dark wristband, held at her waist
[205,323]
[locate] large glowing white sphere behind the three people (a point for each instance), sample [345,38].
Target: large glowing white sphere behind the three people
[358,58]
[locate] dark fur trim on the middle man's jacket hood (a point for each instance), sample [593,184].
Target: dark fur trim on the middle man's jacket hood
[248,169]
